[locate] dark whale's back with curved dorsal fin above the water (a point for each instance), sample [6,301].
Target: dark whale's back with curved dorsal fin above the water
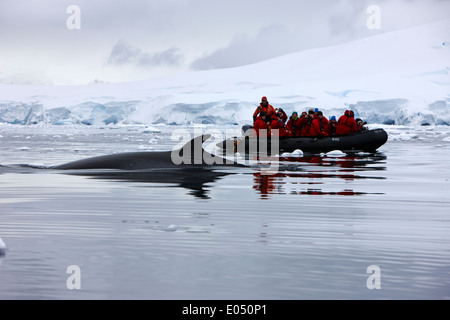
[191,155]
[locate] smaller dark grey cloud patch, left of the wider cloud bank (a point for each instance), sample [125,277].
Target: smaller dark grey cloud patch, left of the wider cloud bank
[123,53]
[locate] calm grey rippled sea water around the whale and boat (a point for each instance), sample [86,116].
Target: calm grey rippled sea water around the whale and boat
[309,231]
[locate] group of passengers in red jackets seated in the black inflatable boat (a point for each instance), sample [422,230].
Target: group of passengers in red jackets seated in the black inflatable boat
[309,124]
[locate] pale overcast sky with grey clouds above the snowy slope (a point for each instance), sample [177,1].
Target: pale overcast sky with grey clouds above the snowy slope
[139,39]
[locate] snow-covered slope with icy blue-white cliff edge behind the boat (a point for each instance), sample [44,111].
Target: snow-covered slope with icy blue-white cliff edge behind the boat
[400,77]
